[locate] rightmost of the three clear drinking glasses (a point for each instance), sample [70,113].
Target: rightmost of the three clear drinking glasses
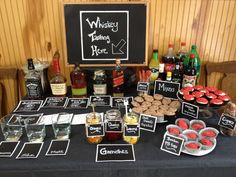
[62,126]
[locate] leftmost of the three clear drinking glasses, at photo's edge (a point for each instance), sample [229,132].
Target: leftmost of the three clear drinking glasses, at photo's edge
[12,131]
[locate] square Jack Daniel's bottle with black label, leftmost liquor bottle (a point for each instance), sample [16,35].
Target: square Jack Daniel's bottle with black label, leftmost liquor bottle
[33,82]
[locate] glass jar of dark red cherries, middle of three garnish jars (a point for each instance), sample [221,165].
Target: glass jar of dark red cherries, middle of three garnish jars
[113,117]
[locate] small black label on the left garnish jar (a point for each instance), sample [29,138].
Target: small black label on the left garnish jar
[95,129]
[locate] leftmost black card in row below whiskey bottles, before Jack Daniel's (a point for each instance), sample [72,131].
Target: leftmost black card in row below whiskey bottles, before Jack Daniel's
[28,105]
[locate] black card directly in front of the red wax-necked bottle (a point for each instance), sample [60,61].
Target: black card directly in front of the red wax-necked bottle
[55,102]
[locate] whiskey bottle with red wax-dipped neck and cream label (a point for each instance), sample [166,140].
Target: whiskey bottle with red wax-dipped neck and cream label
[58,81]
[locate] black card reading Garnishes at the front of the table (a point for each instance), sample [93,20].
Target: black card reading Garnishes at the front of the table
[115,153]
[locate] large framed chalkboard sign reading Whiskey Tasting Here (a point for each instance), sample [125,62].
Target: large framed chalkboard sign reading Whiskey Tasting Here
[97,34]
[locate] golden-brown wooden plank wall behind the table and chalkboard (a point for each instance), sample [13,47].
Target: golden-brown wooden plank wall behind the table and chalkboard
[34,28]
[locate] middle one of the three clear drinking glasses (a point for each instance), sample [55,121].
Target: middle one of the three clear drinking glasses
[35,132]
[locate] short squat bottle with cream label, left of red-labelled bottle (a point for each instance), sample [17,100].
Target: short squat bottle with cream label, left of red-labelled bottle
[100,83]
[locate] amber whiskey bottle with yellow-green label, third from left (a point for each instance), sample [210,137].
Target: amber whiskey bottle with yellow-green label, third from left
[78,82]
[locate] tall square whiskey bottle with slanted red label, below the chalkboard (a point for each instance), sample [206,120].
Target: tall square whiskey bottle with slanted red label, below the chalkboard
[118,80]
